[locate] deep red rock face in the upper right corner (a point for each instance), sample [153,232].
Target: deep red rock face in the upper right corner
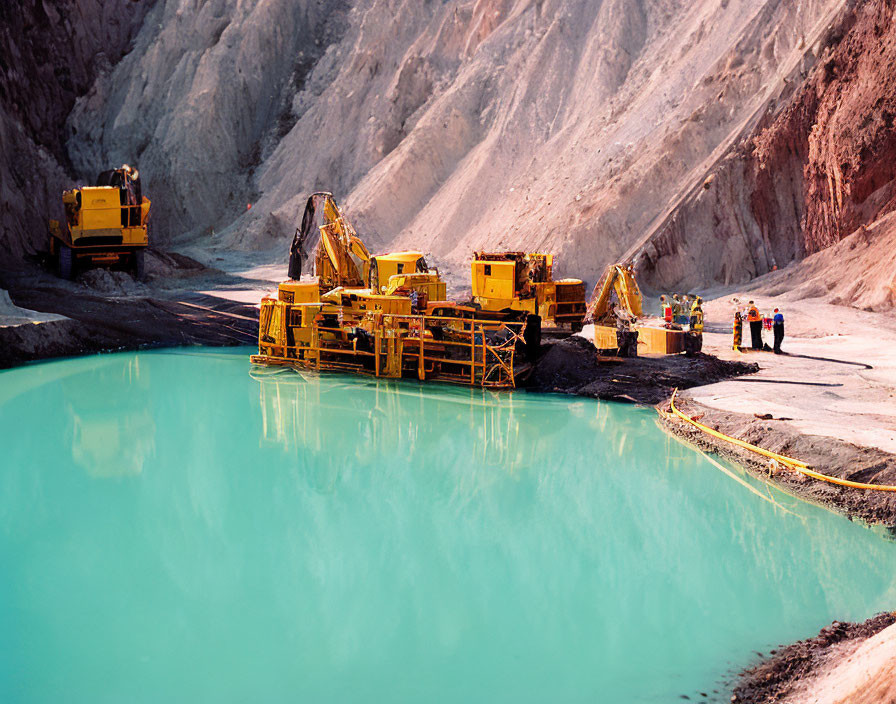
[840,127]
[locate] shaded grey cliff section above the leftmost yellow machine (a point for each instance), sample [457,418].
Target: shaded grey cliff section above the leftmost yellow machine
[201,101]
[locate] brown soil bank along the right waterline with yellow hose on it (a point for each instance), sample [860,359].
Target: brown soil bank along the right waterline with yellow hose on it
[829,456]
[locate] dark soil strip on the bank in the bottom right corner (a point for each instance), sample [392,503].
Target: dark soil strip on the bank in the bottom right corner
[774,679]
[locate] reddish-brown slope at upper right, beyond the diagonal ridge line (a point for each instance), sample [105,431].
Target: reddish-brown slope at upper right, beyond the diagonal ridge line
[818,168]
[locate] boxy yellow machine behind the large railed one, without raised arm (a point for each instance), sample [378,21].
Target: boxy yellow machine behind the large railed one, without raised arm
[523,281]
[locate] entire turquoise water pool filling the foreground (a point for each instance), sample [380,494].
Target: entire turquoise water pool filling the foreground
[173,529]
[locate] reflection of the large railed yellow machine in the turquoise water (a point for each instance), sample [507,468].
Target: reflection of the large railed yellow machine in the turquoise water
[368,418]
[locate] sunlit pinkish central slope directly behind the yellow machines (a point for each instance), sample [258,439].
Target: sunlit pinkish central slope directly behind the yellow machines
[569,126]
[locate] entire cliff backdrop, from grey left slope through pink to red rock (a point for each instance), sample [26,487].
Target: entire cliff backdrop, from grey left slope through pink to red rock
[709,139]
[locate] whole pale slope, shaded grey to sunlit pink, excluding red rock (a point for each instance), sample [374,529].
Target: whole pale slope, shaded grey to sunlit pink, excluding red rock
[572,125]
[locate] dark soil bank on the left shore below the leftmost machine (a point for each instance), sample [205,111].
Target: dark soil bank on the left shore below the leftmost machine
[109,311]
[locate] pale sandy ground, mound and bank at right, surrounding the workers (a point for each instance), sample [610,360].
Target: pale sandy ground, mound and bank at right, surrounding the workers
[831,401]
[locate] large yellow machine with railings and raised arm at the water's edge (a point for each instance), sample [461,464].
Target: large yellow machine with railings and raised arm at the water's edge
[399,327]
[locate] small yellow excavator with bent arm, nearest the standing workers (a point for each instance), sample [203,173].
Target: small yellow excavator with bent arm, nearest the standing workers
[616,308]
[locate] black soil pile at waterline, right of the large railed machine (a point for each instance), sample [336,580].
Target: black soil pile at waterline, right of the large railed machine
[572,366]
